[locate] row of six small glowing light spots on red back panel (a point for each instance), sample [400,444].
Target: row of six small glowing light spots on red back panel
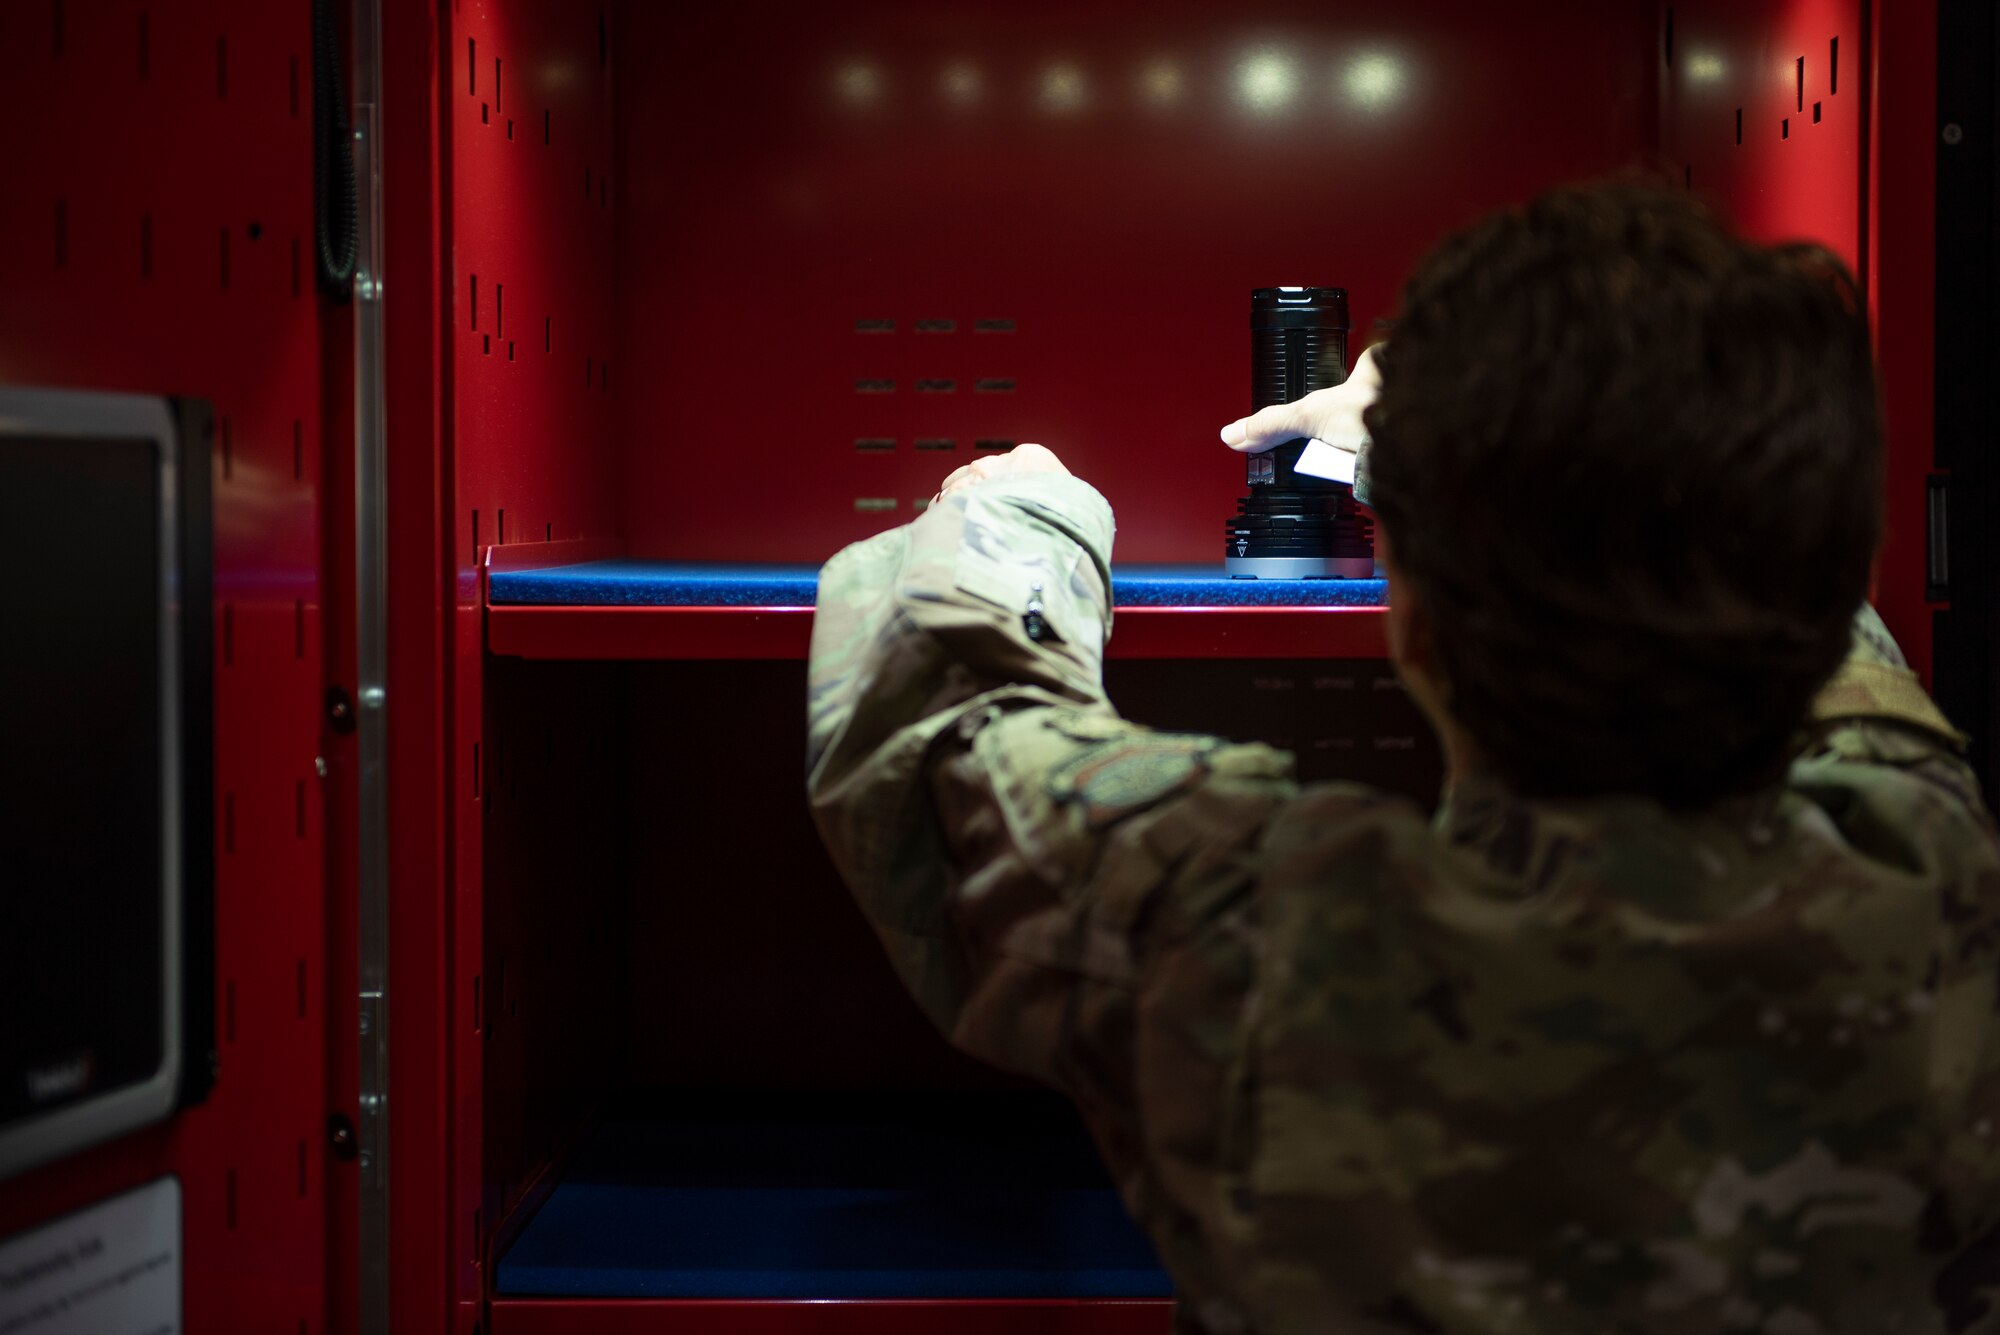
[1265,83]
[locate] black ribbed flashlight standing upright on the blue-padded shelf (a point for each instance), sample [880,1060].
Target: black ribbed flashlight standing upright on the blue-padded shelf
[1297,527]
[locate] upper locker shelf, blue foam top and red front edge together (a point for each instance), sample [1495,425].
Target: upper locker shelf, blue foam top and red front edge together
[691,611]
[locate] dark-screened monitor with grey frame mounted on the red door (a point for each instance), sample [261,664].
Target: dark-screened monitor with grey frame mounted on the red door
[107,848]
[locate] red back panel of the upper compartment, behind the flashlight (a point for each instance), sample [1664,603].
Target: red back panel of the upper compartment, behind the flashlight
[1113,189]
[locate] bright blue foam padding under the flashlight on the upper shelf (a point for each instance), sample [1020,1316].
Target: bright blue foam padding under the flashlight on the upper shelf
[705,585]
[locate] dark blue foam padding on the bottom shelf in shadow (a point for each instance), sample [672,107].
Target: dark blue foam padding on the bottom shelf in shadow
[857,1210]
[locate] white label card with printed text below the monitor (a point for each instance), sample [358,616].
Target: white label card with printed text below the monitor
[107,1270]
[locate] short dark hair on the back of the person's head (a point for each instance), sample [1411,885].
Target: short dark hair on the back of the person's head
[1631,467]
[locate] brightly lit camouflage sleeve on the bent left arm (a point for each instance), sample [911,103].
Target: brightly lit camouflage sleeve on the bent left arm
[1007,834]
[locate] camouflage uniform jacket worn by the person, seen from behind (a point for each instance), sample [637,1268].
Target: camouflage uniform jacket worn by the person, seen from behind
[1523,1066]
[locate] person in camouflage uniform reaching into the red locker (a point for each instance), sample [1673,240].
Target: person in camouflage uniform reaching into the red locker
[1681,1012]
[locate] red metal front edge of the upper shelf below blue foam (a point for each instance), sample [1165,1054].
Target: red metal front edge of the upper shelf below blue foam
[787,633]
